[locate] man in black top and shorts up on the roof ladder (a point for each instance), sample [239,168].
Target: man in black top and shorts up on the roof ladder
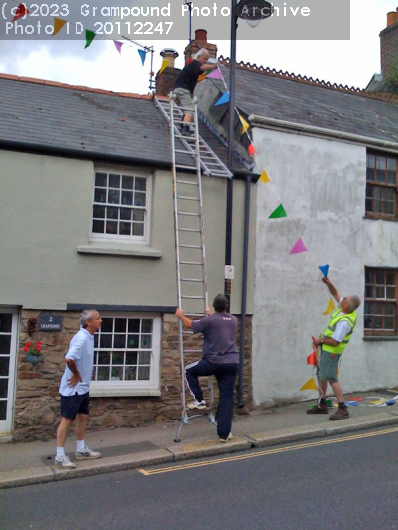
[186,83]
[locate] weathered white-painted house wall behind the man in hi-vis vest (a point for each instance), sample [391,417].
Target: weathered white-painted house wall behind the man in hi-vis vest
[321,184]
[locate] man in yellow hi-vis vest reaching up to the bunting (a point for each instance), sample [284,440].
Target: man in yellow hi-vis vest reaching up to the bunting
[333,339]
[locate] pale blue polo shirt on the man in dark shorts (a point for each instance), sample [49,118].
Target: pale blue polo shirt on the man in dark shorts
[81,350]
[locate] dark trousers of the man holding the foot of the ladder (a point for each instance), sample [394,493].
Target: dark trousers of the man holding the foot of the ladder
[225,375]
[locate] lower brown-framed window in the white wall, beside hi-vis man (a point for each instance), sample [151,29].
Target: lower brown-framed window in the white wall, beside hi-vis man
[381,299]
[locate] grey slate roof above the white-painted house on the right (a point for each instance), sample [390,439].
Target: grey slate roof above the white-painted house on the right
[278,97]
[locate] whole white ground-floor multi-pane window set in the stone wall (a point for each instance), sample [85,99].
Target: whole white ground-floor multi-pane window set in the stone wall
[127,356]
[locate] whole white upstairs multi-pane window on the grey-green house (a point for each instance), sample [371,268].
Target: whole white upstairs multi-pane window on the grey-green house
[121,206]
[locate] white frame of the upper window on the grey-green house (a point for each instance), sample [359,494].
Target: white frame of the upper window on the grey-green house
[117,238]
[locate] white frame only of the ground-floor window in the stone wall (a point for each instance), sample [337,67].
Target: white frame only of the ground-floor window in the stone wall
[149,387]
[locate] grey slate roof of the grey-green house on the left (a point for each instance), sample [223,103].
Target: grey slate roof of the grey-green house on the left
[50,116]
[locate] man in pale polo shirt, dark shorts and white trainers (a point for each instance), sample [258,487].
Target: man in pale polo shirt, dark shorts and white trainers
[74,389]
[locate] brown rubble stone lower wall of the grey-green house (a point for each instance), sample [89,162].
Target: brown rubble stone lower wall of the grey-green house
[37,402]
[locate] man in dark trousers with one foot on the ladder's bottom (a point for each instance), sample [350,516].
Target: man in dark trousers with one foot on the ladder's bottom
[220,357]
